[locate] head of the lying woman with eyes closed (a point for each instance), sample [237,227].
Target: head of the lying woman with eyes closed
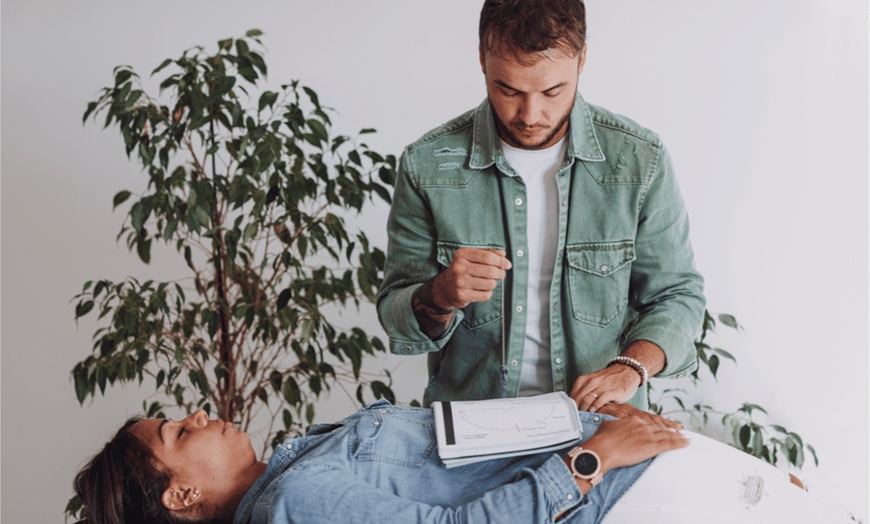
[159,470]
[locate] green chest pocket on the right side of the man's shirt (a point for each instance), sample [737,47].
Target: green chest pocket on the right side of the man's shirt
[598,278]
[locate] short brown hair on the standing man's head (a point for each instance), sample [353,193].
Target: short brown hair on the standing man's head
[523,27]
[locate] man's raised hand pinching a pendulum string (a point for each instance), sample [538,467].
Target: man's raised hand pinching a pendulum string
[471,277]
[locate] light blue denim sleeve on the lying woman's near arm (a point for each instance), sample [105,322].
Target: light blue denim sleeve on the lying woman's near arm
[317,494]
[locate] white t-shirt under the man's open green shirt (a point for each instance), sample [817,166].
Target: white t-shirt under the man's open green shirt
[538,170]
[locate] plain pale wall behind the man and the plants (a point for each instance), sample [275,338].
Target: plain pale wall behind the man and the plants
[763,106]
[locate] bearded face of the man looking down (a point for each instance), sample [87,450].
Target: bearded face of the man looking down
[532,98]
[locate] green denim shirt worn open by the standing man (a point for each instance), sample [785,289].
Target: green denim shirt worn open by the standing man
[624,271]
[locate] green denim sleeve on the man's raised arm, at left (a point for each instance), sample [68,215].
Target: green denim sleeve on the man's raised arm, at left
[411,260]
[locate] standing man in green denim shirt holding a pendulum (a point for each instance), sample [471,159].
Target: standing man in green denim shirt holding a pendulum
[537,242]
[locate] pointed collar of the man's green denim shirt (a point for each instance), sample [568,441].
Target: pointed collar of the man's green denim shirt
[582,144]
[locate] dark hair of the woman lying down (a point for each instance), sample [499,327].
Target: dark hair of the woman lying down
[124,483]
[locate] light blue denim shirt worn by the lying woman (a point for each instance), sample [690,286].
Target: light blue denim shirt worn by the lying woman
[381,465]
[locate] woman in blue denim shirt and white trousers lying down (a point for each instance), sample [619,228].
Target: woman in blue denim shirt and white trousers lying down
[381,465]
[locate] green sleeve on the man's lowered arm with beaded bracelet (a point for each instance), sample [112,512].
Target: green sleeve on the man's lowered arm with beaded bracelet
[668,290]
